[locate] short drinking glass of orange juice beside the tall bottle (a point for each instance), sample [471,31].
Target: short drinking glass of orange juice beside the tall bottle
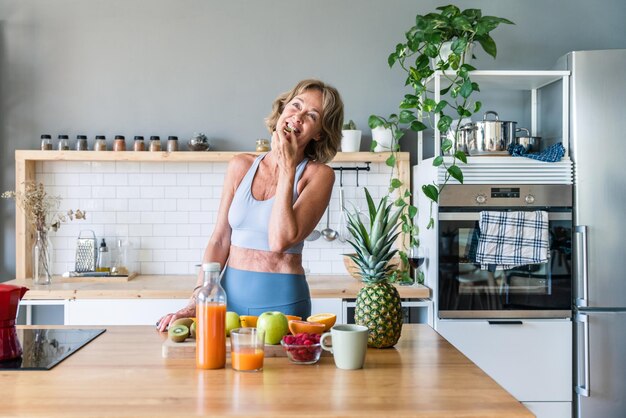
[247,349]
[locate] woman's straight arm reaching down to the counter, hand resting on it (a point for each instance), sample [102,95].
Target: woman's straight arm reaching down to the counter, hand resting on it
[218,247]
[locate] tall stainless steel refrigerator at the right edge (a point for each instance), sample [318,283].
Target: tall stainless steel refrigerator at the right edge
[598,150]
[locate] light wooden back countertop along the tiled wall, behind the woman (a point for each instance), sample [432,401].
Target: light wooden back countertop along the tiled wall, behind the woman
[180,287]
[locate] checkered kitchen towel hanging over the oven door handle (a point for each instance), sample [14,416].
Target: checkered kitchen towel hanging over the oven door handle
[510,239]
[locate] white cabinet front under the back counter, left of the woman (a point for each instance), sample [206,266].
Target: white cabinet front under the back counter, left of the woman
[119,311]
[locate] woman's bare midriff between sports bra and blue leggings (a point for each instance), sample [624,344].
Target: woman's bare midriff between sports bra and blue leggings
[264,261]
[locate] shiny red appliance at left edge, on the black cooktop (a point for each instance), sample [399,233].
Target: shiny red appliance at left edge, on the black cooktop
[10,297]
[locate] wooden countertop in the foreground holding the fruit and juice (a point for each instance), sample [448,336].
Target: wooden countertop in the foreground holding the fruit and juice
[122,373]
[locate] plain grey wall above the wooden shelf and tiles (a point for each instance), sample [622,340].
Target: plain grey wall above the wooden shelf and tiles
[173,67]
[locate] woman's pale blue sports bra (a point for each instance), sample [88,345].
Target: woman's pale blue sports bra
[249,217]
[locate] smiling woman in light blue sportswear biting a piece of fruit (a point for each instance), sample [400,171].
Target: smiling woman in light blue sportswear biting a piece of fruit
[270,203]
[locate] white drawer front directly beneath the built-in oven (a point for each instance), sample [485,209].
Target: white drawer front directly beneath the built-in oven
[532,359]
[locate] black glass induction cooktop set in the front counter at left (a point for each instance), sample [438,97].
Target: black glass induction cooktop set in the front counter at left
[44,348]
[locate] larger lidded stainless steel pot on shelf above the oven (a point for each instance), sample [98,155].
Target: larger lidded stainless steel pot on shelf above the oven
[487,137]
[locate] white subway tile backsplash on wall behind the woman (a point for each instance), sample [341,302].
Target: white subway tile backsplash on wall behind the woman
[167,211]
